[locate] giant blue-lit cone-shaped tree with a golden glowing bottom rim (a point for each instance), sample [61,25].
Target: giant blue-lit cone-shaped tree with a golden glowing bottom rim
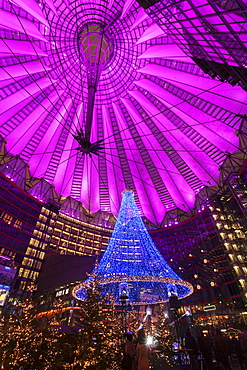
[132,265]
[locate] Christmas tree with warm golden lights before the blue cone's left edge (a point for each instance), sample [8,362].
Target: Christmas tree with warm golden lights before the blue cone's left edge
[100,335]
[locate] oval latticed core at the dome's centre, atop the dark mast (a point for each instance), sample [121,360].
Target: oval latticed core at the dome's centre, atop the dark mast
[95,44]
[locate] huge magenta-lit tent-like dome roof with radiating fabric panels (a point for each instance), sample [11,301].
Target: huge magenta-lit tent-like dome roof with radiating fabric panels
[162,116]
